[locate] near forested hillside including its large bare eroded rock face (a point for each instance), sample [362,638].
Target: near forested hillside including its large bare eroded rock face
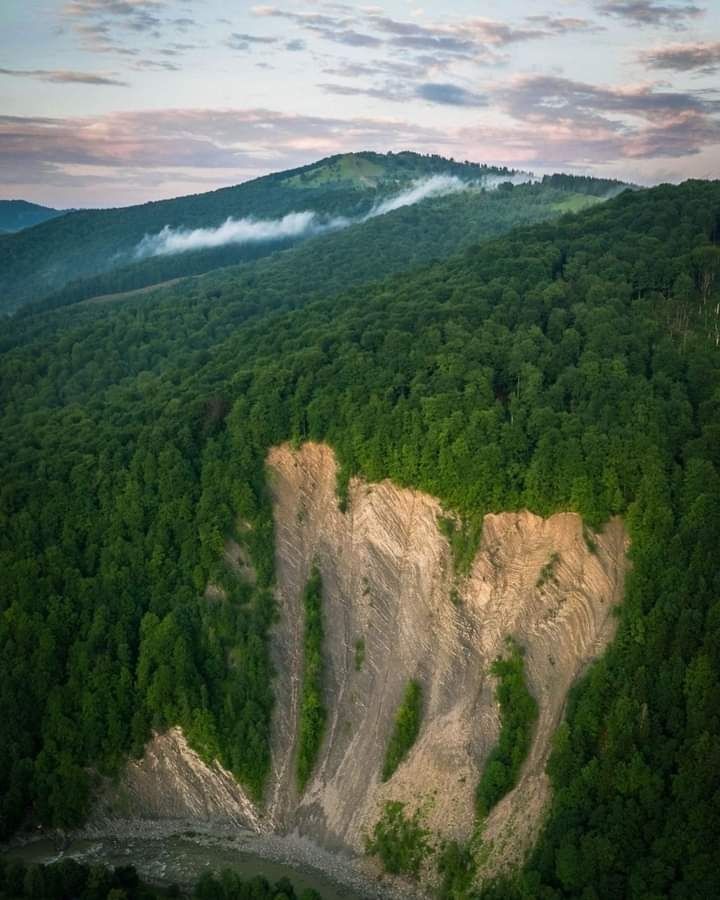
[566,367]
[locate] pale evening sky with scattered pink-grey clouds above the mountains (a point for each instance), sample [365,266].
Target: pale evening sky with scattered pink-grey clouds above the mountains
[114,102]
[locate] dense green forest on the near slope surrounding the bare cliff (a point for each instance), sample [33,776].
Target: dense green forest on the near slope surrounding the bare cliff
[567,365]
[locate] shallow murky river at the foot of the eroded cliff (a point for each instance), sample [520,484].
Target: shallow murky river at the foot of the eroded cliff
[182,858]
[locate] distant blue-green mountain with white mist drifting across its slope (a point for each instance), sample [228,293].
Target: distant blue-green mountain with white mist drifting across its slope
[138,246]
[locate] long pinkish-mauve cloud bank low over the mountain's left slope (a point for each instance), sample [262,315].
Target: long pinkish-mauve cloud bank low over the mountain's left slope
[233,140]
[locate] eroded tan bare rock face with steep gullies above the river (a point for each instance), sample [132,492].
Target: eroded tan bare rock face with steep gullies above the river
[388,581]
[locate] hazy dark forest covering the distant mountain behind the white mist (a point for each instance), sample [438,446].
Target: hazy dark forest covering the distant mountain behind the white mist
[88,242]
